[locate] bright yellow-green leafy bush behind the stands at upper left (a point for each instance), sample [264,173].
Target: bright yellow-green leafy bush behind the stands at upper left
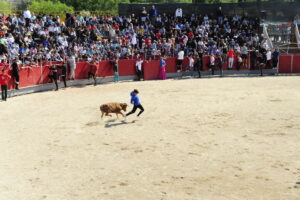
[49,7]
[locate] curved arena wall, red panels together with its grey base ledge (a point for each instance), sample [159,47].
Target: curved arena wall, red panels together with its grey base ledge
[38,76]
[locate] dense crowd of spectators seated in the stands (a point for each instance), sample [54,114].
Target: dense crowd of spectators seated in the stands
[150,33]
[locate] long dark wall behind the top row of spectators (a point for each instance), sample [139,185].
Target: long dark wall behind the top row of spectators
[274,10]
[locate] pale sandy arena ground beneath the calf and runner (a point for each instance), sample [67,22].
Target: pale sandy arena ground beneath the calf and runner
[210,139]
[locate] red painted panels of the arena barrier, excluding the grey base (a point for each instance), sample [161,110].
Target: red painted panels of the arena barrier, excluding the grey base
[288,63]
